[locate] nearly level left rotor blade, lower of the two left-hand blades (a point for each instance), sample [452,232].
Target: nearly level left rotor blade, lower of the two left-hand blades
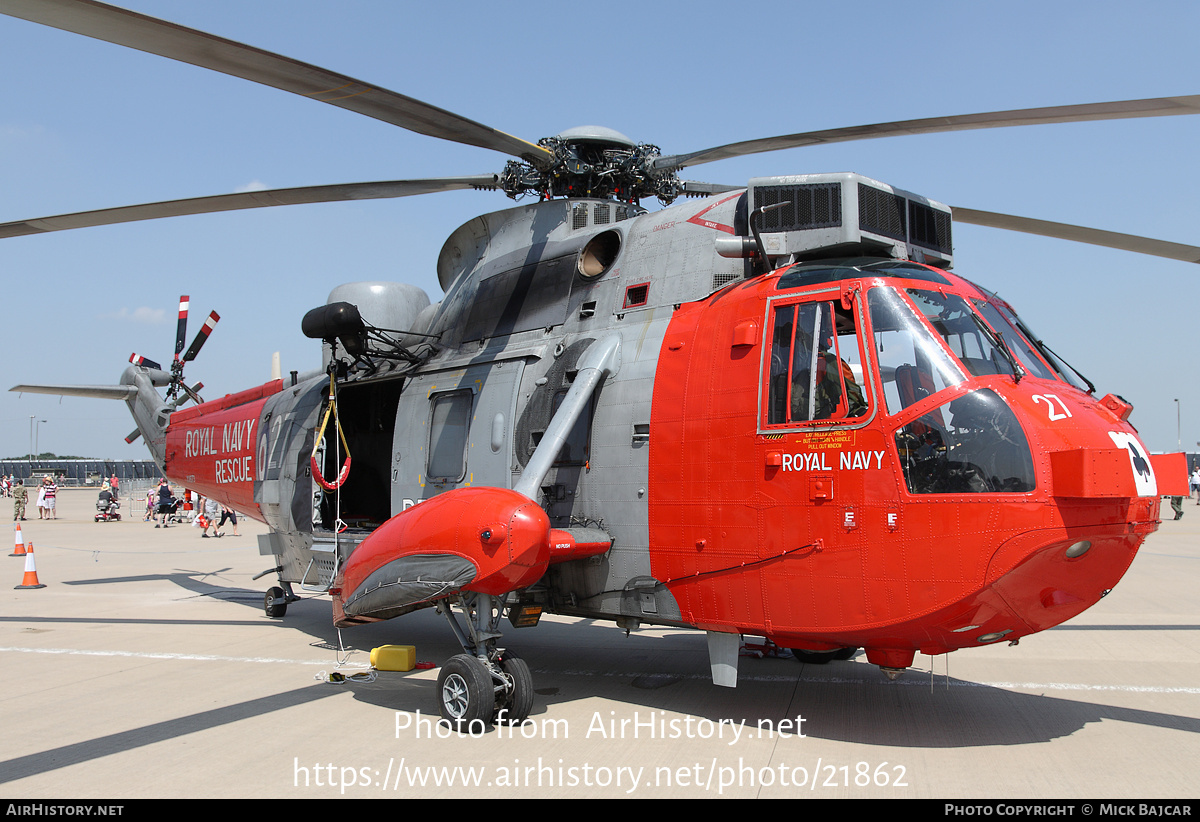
[249,200]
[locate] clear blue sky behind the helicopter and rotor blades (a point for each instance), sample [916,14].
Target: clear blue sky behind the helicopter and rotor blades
[88,125]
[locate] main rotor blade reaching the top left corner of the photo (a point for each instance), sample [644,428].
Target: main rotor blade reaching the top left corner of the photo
[178,43]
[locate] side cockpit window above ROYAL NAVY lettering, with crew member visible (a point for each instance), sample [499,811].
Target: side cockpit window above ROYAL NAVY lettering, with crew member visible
[815,370]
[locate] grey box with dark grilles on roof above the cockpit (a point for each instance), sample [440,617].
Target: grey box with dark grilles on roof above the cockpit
[850,215]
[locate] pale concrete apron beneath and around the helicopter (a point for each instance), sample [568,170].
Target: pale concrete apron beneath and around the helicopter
[146,668]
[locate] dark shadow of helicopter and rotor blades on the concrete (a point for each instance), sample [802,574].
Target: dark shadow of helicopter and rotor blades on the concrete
[848,701]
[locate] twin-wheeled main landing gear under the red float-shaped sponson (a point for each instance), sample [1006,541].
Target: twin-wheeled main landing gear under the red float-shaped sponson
[487,685]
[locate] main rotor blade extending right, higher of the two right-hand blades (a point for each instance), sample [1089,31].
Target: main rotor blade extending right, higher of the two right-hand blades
[1027,117]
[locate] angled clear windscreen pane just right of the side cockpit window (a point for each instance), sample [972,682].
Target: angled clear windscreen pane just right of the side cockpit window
[913,364]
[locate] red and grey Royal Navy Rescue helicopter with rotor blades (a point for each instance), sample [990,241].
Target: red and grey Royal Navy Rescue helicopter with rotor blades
[772,411]
